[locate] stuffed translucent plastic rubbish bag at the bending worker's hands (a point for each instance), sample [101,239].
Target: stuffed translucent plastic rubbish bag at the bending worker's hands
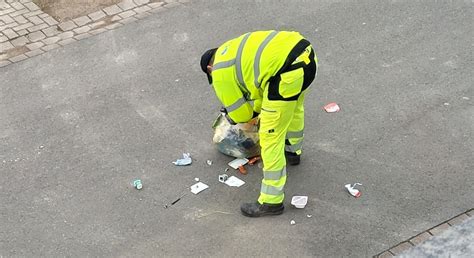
[240,140]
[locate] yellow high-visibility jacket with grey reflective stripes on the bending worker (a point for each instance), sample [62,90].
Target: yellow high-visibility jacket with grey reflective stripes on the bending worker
[243,66]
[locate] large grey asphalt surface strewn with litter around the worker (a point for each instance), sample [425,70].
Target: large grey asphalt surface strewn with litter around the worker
[79,123]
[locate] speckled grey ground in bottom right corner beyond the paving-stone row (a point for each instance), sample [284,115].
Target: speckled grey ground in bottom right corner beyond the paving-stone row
[457,241]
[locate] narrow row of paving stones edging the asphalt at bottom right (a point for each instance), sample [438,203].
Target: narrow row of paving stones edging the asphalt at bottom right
[425,235]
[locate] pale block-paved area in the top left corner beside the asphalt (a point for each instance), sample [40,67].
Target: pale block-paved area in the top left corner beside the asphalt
[28,24]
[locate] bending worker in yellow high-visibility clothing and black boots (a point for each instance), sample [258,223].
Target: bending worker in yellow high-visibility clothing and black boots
[266,73]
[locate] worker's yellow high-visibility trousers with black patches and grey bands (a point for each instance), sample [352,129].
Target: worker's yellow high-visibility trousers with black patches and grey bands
[282,126]
